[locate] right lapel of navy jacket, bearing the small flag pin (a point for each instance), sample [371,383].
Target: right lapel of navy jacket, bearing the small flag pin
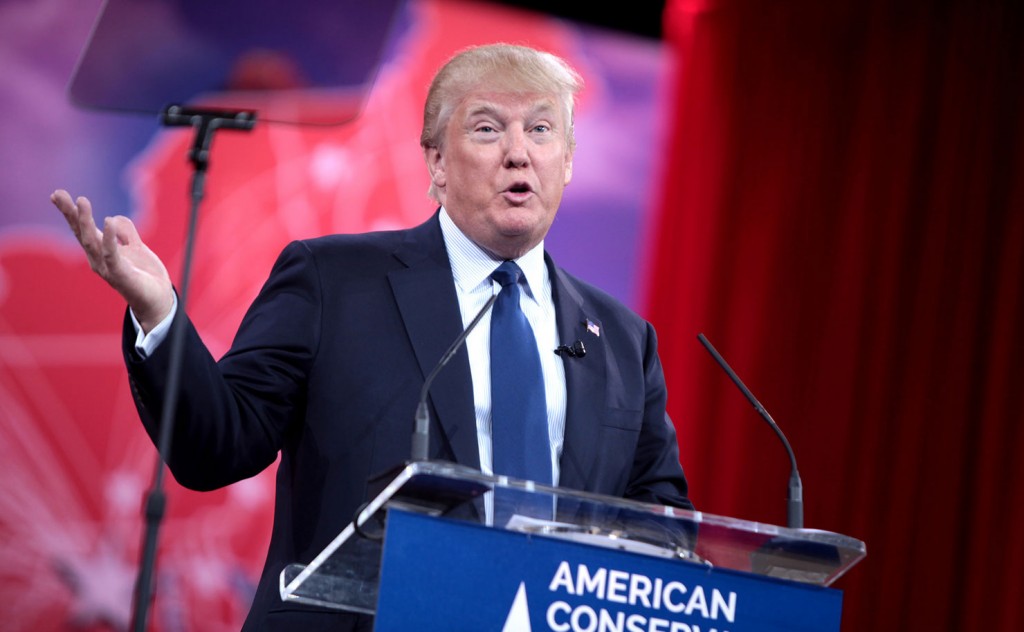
[586,380]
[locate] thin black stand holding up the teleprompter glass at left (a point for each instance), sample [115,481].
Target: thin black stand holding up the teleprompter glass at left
[205,122]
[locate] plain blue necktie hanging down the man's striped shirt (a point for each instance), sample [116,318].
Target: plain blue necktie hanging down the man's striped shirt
[519,407]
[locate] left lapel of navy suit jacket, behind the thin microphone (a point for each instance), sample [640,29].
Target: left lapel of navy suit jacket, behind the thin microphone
[430,309]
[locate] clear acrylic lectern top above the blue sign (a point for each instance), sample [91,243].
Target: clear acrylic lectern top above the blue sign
[347,575]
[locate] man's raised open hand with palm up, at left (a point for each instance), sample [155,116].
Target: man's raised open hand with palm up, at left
[121,259]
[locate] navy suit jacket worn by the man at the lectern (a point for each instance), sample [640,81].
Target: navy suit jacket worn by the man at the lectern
[326,371]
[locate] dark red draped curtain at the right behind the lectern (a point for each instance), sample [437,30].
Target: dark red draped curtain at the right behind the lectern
[843,218]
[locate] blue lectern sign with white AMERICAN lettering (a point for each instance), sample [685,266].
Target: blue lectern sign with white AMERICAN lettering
[444,575]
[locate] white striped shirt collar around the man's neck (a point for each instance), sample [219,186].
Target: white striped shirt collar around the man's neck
[473,266]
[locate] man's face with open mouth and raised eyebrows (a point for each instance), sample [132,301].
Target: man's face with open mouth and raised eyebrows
[502,167]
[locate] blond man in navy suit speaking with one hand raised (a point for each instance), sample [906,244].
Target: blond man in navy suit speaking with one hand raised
[328,364]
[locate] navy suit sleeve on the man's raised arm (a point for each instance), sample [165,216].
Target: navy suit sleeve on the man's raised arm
[234,416]
